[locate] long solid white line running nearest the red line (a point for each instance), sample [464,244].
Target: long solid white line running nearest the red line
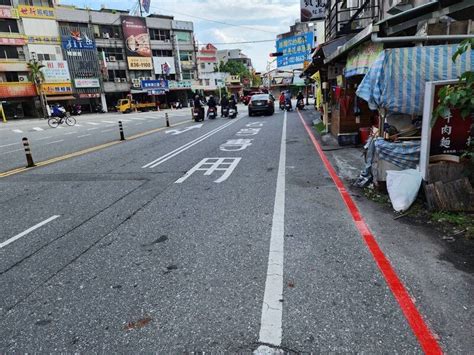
[272,308]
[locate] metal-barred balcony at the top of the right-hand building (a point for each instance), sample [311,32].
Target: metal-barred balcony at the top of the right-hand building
[346,16]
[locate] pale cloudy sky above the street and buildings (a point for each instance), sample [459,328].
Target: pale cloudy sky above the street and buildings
[270,17]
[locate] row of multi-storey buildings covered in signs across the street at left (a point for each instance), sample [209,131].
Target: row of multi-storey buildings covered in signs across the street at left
[89,58]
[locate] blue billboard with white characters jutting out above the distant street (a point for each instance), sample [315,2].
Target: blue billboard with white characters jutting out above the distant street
[296,50]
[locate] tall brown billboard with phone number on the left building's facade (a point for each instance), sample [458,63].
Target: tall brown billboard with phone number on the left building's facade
[137,43]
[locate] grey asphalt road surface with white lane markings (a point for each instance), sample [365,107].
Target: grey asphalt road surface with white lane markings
[230,236]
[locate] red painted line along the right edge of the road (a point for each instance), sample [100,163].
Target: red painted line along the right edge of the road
[427,340]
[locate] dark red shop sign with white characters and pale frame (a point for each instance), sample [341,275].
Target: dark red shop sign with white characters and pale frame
[451,134]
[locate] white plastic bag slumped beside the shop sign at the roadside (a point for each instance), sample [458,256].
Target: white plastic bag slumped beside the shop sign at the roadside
[403,188]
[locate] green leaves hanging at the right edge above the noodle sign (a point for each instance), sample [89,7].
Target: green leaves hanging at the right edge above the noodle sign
[461,95]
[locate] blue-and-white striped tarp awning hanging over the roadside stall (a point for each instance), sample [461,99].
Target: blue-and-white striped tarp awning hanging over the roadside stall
[396,80]
